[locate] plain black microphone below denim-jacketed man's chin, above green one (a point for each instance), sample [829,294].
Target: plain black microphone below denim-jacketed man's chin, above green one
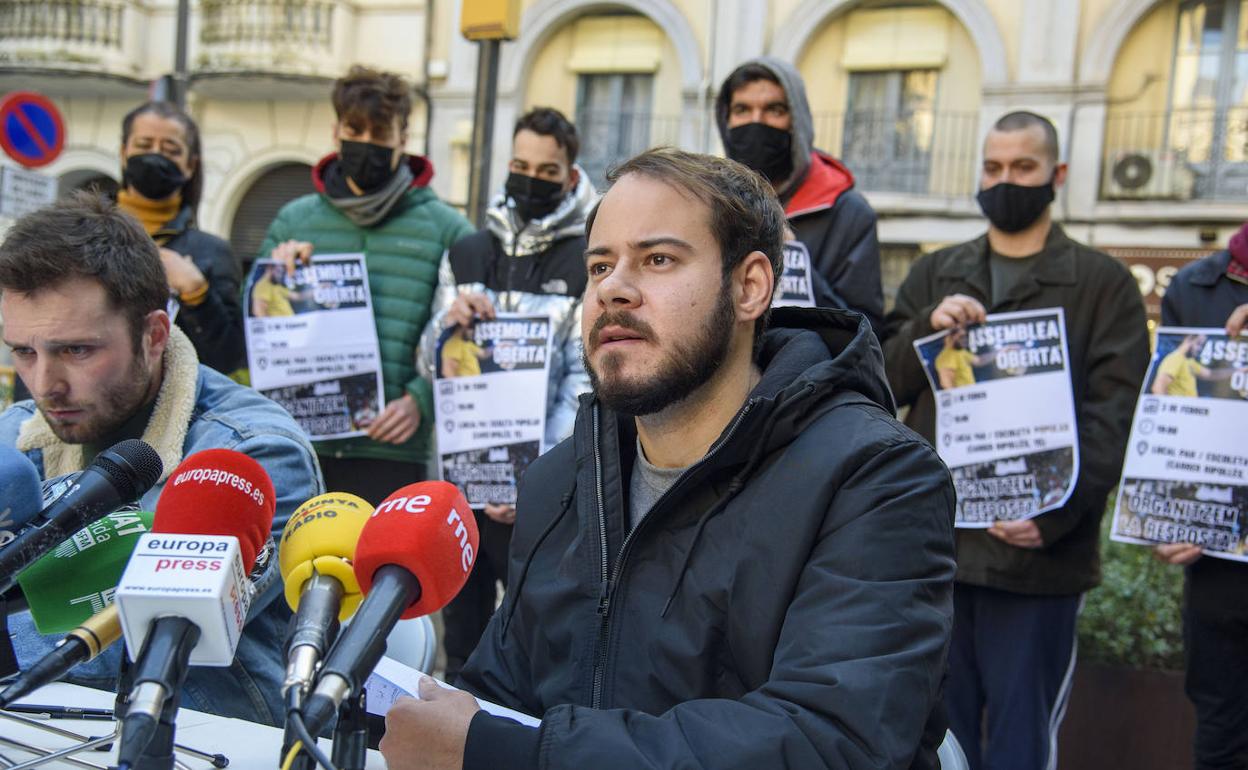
[117,477]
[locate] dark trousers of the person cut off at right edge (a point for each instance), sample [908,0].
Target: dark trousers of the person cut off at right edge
[1216,647]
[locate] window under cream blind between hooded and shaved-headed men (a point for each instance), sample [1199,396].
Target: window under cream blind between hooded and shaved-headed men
[889,128]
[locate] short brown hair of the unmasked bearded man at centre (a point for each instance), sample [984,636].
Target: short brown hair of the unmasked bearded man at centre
[746,215]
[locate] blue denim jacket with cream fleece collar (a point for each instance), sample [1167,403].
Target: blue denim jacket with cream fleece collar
[197,409]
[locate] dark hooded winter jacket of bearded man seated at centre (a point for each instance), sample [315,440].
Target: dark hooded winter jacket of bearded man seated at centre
[786,605]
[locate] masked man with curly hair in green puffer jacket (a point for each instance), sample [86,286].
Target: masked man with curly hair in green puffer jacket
[374,199]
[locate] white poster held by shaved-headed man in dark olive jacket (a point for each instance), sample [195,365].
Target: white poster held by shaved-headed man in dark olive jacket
[1005,415]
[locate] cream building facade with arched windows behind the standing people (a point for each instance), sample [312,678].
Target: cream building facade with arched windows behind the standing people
[1150,97]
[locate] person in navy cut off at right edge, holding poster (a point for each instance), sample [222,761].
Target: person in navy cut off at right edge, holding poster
[1214,293]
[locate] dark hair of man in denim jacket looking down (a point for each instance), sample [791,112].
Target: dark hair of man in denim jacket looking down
[87,236]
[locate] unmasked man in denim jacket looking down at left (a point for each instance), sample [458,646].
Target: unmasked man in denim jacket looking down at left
[83,295]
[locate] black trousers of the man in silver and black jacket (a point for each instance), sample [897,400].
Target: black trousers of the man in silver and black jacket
[466,618]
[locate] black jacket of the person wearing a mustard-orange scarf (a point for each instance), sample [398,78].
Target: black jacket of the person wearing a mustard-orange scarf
[214,326]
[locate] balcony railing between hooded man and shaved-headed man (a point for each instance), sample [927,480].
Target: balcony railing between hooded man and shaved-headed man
[922,153]
